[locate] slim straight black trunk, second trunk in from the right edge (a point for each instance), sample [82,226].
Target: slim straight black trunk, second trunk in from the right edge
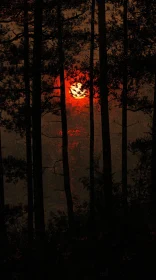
[124,111]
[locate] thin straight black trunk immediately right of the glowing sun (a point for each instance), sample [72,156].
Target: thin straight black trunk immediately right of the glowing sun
[92,191]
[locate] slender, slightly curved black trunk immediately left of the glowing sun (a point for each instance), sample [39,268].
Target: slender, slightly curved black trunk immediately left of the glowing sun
[67,186]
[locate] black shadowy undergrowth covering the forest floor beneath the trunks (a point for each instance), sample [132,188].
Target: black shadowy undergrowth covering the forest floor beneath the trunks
[79,256]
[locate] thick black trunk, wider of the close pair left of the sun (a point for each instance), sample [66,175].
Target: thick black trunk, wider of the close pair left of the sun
[36,123]
